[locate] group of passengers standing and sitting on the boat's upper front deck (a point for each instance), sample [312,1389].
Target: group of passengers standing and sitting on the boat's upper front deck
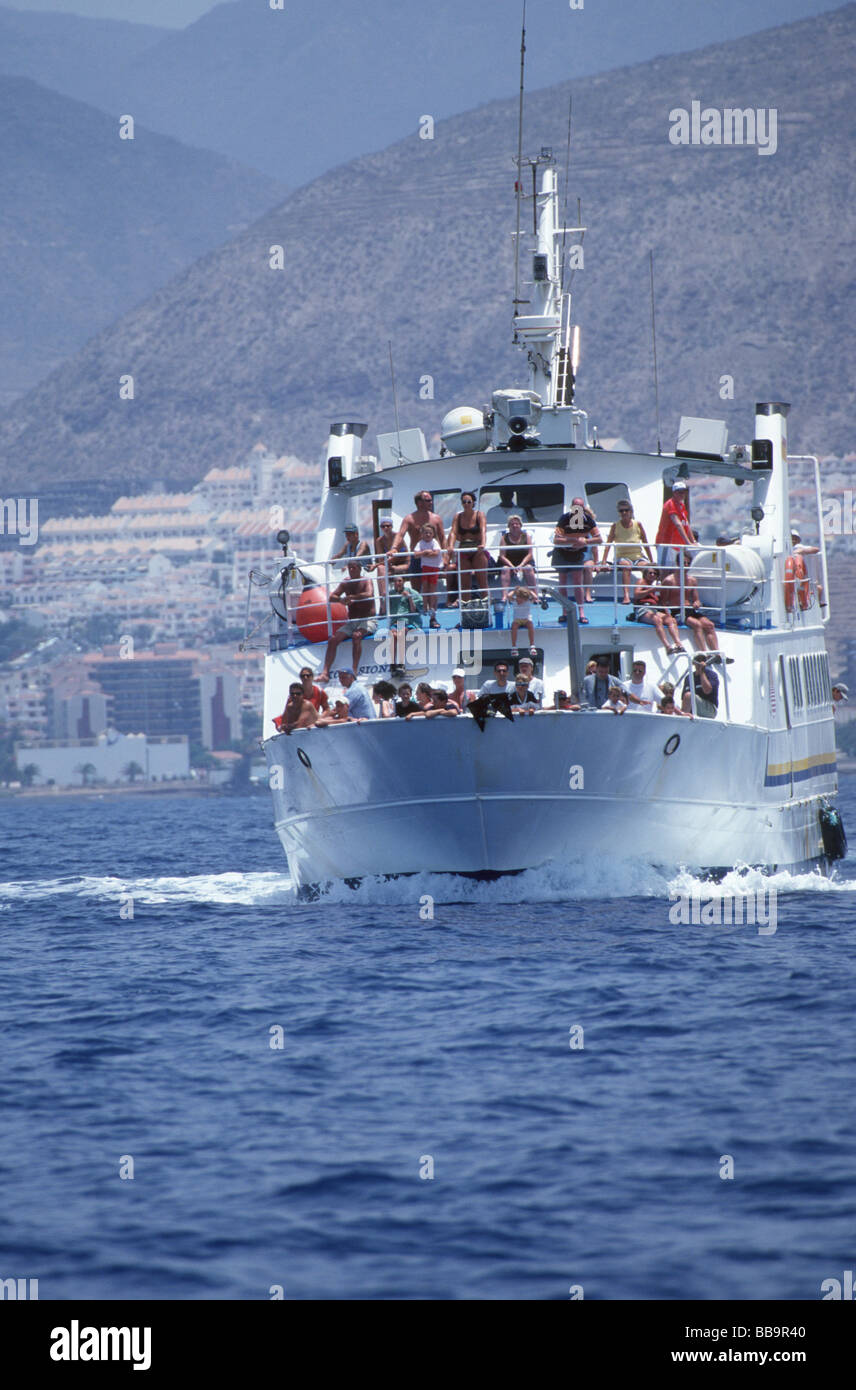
[412,564]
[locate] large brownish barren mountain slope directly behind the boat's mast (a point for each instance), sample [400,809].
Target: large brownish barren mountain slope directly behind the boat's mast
[754,259]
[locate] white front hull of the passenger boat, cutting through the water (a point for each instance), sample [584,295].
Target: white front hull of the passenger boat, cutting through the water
[441,796]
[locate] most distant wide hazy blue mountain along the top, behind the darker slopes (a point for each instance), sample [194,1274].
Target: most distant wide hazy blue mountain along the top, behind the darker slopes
[297,91]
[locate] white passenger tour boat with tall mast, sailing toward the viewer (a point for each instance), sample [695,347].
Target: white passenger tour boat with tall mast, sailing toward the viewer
[754,786]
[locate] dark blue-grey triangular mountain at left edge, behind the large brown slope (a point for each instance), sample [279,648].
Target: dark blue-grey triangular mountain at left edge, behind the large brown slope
[92,224]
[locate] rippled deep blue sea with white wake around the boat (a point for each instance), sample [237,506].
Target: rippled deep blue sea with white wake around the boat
[281,1075]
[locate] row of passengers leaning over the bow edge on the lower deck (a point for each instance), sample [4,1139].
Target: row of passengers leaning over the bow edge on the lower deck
[511,693]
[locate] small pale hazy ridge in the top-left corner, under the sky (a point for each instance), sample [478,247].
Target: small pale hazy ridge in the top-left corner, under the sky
[69,54]
